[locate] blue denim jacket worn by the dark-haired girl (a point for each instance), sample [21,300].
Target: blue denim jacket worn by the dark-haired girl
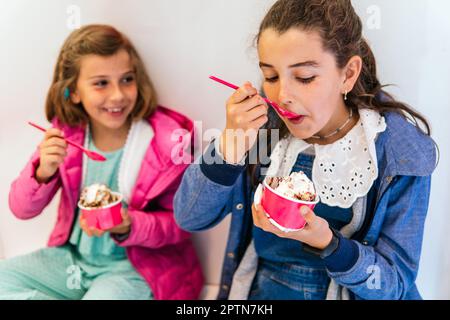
[388,246]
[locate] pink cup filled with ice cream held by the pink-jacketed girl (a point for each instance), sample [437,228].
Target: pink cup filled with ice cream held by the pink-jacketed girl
[101,207]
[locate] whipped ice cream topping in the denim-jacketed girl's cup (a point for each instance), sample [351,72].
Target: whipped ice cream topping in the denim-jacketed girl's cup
[297,186]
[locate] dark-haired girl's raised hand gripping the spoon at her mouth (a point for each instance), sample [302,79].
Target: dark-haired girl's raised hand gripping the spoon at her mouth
[246,114]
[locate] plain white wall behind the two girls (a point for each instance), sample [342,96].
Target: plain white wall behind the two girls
[182,43]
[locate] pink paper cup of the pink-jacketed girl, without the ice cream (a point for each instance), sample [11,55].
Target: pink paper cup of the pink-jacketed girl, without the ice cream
[103,218]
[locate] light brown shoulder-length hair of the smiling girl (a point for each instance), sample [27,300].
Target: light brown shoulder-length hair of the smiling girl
[100,40]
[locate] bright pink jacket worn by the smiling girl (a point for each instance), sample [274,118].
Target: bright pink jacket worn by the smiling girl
[159,250]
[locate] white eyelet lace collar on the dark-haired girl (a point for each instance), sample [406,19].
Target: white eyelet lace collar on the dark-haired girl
[342,171]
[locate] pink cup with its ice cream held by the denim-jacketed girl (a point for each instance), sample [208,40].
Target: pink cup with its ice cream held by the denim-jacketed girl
[282,198]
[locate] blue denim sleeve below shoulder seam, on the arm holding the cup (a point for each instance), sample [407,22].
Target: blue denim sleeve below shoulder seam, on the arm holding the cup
[388,269]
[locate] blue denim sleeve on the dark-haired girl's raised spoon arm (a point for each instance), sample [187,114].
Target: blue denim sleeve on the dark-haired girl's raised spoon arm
[205,195]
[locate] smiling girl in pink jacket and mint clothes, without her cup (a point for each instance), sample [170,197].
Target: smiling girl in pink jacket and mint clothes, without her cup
[101,97]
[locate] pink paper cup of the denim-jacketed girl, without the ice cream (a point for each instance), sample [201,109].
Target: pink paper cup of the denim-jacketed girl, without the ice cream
[285,212]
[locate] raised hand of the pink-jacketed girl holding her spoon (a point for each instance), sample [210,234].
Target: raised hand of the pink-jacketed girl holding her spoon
[53,150]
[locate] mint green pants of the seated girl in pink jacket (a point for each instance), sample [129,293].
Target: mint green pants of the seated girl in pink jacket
[61,273]
